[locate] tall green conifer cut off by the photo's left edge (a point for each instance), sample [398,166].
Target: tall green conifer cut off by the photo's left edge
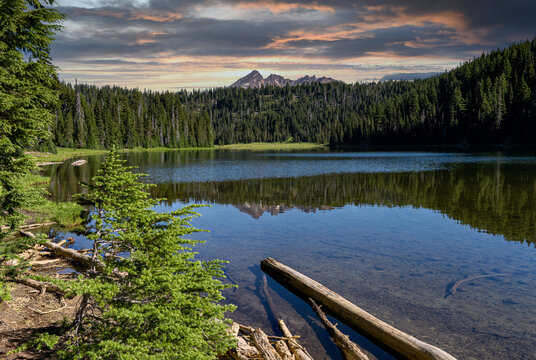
[27,82]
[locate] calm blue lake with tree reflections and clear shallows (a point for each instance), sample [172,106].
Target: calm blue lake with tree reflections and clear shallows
[392,232]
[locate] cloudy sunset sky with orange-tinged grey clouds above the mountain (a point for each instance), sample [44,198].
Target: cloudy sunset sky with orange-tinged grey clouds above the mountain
[172,45]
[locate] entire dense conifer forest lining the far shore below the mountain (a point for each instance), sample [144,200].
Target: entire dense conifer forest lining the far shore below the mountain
[490,100]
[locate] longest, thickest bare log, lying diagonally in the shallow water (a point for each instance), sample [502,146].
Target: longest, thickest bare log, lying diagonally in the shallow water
[357,318]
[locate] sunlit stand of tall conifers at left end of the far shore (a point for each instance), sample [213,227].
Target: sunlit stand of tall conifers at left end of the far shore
[91,117]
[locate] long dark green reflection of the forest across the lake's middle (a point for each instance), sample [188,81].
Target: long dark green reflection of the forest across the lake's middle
[500,199]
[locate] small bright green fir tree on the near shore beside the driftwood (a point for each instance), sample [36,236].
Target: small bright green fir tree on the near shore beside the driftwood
[145,296]
